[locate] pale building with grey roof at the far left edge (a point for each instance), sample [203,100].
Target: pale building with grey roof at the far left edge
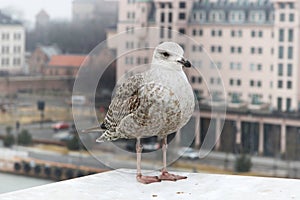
[12,45]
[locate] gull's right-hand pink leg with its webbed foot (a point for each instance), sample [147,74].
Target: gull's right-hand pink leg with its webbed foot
[165,175]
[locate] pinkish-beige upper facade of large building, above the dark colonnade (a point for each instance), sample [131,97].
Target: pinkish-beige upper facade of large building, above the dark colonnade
[253,43]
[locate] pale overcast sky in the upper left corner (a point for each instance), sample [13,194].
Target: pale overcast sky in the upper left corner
[27,9]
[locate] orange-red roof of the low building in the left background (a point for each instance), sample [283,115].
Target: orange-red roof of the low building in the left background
[67,60]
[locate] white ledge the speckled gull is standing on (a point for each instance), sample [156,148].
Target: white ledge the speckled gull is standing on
[121,185]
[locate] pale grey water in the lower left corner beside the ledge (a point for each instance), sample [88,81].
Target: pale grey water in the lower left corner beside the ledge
[10,182]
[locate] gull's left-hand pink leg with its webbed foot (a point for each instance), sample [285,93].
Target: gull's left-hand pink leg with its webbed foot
[139,176]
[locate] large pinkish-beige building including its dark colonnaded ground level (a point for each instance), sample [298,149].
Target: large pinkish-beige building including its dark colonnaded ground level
[246,54]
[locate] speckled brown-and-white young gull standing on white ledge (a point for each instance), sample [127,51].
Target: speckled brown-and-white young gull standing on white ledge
[157,102]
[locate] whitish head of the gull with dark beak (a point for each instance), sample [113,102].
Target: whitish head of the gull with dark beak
[170,55]
